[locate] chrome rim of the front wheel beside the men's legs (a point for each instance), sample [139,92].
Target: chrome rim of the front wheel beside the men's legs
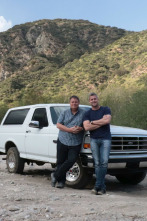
[73,174]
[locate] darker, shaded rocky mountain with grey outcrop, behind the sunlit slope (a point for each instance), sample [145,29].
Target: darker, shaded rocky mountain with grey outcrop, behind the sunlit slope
[35,50]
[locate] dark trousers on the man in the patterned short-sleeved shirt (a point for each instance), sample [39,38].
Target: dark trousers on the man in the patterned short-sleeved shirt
[66,157]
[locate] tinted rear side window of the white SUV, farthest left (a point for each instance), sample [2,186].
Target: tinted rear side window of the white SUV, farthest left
[16,116]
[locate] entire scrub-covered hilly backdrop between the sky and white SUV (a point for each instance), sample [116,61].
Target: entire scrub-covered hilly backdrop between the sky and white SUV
[48,60]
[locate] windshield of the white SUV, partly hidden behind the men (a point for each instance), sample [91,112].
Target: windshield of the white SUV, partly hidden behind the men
[56,111]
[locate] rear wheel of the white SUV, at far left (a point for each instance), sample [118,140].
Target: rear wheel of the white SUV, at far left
[15,164]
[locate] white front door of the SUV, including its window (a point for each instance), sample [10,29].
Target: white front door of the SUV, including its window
[37,139]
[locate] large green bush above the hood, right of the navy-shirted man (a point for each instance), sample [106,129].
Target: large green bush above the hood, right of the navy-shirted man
[128,107]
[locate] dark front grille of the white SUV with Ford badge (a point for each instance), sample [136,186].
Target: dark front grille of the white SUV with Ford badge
[128,143]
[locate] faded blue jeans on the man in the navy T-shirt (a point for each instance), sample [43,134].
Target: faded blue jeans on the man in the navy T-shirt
[100,150]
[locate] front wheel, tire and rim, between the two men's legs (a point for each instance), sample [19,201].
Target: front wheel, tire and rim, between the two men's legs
[78,177]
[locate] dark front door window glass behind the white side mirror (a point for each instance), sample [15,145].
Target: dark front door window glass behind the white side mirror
[41,116]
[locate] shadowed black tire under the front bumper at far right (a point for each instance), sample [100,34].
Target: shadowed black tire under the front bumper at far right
[131,178]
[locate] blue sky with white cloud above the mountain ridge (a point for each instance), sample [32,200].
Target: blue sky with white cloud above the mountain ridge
[130,15]
